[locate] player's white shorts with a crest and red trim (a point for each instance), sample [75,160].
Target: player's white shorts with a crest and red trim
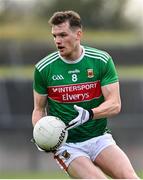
[90,149]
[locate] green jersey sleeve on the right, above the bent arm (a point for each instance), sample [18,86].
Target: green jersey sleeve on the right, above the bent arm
[108,73]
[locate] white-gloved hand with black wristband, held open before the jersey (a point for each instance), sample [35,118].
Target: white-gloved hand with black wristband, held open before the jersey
[83,116]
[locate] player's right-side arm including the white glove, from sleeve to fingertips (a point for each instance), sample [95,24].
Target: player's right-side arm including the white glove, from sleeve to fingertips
[110,107]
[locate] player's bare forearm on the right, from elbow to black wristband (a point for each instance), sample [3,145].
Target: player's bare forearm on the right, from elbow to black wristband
[107,109]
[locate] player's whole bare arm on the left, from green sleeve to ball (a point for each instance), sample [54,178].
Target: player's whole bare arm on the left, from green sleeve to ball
[39,107]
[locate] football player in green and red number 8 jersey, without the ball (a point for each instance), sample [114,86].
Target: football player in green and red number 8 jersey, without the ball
[80,85]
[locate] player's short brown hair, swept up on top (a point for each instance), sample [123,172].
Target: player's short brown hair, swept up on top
[63,16]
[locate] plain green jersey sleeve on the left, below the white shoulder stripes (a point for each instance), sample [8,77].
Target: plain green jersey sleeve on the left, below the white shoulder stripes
[38,84]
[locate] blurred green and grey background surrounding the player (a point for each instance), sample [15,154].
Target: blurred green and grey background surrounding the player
[115,26]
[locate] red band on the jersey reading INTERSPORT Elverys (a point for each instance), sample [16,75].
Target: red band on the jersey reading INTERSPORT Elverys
[75,92]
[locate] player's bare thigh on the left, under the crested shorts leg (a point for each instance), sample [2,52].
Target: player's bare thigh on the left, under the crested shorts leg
[83,168]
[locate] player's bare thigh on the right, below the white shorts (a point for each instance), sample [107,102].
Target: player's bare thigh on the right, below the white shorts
[114,162]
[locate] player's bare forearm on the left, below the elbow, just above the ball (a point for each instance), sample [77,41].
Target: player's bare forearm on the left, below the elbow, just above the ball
[38,114]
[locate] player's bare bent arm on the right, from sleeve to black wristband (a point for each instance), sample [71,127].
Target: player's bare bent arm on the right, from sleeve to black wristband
[112,104]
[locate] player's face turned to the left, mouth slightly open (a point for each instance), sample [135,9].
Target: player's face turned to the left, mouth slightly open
[67,40]
